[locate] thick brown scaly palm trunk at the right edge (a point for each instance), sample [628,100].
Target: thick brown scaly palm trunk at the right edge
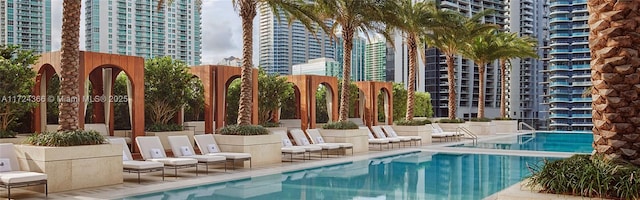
[613,41]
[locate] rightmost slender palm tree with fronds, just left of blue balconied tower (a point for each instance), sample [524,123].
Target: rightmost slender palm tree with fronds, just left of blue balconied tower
[517,47]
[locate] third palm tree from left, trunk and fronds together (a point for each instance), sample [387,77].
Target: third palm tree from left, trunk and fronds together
[352,17]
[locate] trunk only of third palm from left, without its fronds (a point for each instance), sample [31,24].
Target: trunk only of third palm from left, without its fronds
[347,34]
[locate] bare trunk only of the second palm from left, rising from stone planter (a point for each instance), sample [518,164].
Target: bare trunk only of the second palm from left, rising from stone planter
[247,13]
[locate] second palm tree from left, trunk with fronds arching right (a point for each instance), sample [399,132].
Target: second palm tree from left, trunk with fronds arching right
[290,9]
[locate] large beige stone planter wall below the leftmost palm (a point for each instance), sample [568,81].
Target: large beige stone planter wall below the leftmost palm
[76,167]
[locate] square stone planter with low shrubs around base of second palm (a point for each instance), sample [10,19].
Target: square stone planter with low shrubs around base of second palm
[253,139]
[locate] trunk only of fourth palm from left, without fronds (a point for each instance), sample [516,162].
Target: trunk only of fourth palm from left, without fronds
[411,88]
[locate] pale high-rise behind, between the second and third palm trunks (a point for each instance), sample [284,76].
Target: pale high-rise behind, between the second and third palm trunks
[283,45]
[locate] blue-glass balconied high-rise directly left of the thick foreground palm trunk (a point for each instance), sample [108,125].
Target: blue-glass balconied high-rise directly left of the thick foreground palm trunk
[569,71]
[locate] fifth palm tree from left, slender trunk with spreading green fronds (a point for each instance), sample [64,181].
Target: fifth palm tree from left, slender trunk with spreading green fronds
[454,33]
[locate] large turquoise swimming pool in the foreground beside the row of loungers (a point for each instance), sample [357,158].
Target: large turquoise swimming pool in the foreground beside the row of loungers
[419,175]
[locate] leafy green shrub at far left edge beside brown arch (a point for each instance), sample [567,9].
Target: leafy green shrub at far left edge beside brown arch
[16,82]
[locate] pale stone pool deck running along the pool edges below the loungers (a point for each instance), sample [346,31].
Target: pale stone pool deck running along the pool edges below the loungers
[152,182]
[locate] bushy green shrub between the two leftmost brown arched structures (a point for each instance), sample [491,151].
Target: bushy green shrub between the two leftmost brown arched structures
[167,89]
